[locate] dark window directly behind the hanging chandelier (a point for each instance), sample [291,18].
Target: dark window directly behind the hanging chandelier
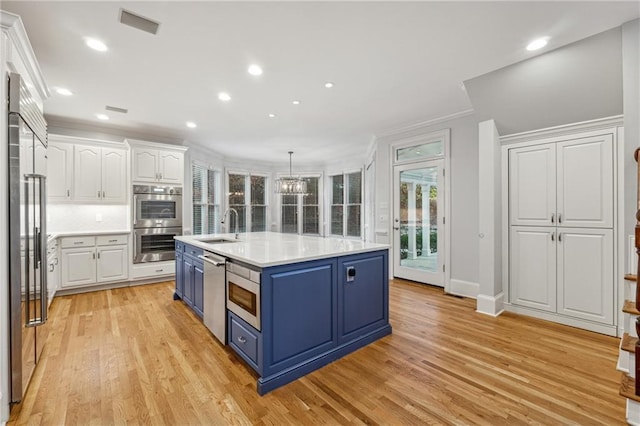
[306,207]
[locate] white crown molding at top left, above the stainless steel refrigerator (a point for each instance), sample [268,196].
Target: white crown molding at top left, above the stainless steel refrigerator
[14,28]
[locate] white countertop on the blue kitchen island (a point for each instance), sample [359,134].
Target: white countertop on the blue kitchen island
[265,249]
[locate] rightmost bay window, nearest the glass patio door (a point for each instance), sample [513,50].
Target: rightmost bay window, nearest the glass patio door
[346,204]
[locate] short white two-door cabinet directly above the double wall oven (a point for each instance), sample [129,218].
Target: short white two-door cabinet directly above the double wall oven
[158,166]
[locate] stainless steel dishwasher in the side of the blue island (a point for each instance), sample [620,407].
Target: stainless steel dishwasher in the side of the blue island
[214,304]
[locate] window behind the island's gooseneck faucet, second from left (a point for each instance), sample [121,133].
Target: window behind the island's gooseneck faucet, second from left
[247,195]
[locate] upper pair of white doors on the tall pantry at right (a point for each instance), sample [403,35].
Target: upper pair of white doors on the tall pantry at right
[569,183]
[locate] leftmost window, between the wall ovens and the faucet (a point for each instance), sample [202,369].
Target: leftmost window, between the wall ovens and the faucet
[206,200]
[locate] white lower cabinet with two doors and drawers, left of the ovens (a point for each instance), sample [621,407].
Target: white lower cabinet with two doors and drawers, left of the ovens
[93,260]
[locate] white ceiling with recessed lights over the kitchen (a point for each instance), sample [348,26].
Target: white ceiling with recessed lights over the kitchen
[392,63]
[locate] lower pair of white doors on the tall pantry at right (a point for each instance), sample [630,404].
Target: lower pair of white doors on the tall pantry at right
[567,271]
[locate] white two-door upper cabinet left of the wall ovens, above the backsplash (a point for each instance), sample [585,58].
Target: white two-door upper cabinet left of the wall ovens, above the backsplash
[100,174]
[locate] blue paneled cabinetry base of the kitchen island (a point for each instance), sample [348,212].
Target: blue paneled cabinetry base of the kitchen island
[311,313]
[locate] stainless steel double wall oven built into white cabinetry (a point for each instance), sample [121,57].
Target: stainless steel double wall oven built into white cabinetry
[157,218]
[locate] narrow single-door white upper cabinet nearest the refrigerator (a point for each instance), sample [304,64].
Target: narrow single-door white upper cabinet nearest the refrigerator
[59,171]
